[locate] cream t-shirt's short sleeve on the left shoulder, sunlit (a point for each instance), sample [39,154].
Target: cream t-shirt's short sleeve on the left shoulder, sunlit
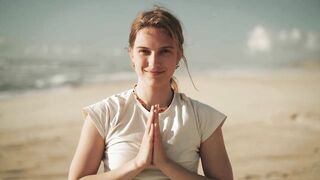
[98,114]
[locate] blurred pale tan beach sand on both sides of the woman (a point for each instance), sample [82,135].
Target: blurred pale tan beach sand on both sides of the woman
[272,130]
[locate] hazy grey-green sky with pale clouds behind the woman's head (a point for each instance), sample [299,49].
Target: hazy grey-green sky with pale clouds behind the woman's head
[221,33]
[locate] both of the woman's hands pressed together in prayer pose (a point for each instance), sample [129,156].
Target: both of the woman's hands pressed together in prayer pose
[151,151]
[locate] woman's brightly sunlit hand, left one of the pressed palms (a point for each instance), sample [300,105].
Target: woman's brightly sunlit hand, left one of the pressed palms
[144,156]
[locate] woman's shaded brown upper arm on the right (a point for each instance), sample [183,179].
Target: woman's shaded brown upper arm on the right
[214,158]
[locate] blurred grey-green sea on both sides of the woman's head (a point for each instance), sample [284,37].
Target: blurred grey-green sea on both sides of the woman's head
[18,75]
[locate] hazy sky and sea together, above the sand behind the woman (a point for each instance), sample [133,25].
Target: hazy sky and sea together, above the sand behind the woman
[46,43]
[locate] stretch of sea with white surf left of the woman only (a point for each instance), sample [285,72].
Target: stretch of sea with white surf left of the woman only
[25,74]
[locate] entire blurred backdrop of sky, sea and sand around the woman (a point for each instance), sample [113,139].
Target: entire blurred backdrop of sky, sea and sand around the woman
[256,61]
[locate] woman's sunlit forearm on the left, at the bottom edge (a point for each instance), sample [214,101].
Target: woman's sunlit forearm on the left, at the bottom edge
[127,171]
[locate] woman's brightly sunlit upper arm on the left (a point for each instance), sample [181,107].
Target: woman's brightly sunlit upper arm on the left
[89,152]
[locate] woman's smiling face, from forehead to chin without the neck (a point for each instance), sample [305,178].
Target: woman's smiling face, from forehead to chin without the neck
[154,56]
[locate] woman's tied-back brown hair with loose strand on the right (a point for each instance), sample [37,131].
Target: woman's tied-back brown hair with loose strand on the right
[160,18]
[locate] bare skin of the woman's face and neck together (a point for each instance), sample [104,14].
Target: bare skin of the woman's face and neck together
[154,57]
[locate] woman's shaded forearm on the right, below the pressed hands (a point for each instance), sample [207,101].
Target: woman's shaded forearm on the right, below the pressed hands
[175,171]
